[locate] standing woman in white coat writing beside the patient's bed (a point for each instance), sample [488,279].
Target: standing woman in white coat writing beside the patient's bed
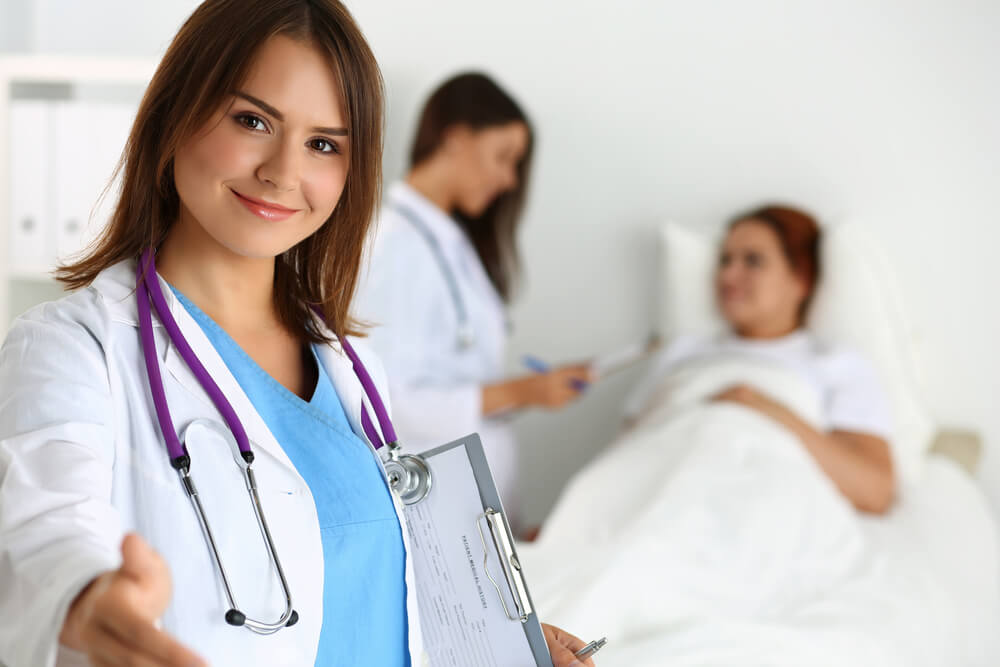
[443,270]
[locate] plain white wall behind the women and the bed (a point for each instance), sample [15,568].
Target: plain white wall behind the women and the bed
[647,110]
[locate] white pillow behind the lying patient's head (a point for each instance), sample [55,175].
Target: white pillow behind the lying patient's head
[856,304]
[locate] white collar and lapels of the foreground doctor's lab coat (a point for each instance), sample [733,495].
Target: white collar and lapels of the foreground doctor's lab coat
[116,285]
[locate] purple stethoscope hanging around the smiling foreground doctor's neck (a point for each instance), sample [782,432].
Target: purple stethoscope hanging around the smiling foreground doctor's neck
[408,475]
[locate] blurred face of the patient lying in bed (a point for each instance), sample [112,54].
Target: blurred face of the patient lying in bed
[757,291]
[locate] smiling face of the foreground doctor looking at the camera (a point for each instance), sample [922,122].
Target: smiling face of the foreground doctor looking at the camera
[268,168]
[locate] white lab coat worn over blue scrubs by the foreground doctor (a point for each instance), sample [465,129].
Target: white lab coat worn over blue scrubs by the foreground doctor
[82,462]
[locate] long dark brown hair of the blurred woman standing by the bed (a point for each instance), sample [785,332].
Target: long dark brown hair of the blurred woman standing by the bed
[475,101]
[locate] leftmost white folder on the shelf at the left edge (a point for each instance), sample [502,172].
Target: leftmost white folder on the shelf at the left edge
[30,214]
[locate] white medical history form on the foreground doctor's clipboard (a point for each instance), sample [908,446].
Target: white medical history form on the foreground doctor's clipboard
[462,619]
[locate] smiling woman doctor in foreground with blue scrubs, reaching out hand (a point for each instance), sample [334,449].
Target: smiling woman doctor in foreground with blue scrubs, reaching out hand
[210,338]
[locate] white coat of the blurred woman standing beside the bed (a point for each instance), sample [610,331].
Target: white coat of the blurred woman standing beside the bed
[436,386]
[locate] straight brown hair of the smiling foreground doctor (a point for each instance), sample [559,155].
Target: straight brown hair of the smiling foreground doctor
[208,60]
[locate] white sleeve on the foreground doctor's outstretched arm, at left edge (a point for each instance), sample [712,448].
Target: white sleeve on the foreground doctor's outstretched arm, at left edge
[58,529]
